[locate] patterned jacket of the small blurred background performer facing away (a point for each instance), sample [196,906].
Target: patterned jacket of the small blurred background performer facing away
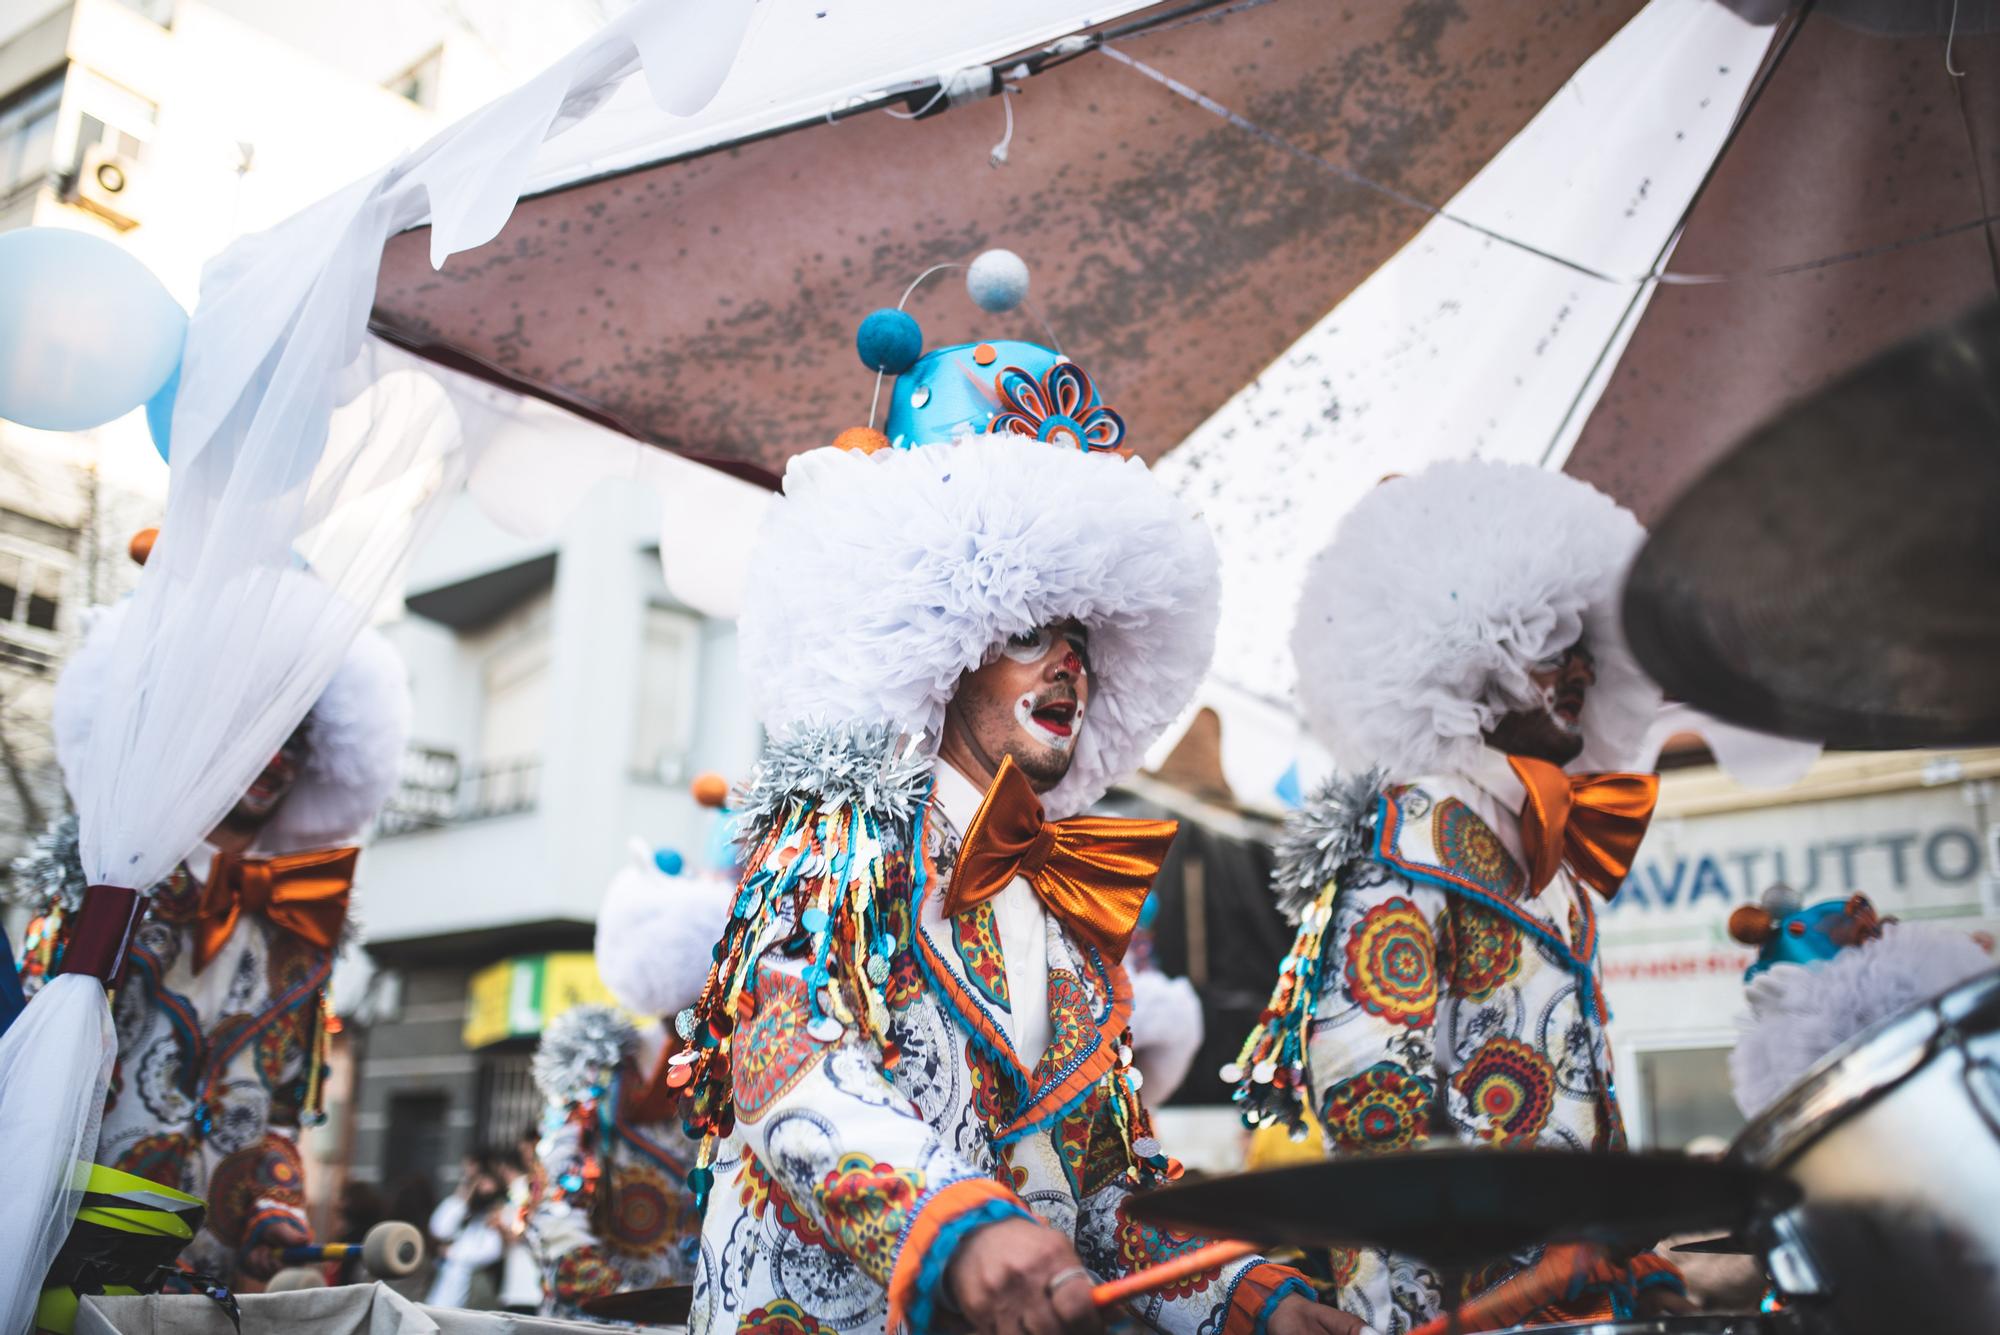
[611,1210]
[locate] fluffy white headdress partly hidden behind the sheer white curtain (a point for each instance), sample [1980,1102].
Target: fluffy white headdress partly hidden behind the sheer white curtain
[357,734]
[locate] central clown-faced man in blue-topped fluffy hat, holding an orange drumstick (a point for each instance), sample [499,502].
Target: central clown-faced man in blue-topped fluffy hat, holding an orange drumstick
[913,1058]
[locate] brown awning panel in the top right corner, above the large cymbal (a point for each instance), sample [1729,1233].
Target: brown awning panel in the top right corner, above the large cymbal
[1859,171]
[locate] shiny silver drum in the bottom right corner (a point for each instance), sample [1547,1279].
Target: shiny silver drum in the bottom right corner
[1895,1146]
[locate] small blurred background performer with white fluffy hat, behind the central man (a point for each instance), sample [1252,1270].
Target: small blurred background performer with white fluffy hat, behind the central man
[613,1208]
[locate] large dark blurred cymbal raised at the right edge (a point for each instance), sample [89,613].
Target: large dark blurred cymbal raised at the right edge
[1835,577]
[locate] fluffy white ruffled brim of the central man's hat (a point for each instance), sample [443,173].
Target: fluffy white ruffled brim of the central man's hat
[881,579]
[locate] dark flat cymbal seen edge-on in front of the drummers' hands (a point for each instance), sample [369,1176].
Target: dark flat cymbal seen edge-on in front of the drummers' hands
[1461,1208]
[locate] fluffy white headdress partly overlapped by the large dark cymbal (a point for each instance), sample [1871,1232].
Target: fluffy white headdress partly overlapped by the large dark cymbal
[1421,621]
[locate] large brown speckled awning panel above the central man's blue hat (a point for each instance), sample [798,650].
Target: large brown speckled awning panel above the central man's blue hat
[709,307]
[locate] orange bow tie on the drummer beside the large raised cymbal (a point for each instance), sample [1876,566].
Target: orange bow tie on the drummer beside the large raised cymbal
[1593,822]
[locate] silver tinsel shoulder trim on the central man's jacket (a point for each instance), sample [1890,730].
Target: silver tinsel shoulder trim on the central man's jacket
[833,766]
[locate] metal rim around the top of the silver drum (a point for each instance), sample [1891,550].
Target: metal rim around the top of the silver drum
[1859,1072]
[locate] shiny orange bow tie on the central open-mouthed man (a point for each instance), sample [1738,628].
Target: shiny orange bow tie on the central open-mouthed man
[1093,872]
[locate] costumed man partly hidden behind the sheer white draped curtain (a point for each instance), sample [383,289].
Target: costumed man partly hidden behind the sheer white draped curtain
[221,1010]
